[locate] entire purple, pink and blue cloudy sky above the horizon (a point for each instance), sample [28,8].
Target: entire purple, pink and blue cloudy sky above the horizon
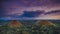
[29,9]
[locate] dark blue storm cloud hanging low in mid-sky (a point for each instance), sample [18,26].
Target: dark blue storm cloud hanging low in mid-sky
[32,13]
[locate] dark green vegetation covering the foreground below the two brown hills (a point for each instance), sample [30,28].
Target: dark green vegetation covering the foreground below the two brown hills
[33,29]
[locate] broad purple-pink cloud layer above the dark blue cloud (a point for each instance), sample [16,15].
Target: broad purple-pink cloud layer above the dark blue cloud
[18,6]
